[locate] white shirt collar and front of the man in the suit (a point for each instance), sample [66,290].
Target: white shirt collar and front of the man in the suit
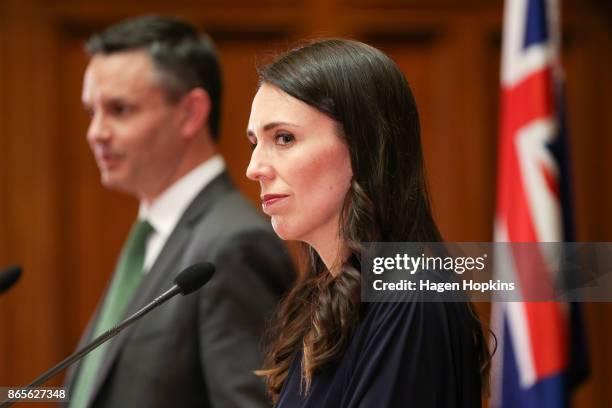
[166,211]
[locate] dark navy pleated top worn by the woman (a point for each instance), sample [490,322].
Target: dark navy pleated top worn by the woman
[412,354]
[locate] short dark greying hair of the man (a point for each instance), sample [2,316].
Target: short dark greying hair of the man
[185,58]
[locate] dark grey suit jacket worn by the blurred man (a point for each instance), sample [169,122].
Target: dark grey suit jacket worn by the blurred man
[200,350]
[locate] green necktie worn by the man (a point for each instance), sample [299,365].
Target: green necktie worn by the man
[125,281]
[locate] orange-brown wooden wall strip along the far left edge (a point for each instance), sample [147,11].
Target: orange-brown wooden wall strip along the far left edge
[31,223]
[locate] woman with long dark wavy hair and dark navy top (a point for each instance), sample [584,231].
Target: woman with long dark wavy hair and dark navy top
[337,153]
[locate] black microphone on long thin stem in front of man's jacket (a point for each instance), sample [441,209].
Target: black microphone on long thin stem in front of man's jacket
[188,281]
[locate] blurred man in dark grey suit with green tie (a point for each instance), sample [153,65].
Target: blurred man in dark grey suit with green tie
[153,89]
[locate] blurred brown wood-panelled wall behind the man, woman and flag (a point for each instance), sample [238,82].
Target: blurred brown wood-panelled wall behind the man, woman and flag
[66,230]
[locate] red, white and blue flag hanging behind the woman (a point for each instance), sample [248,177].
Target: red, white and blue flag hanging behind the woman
[541,351]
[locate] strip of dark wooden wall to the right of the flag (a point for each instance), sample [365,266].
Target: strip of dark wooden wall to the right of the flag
[588,101]
